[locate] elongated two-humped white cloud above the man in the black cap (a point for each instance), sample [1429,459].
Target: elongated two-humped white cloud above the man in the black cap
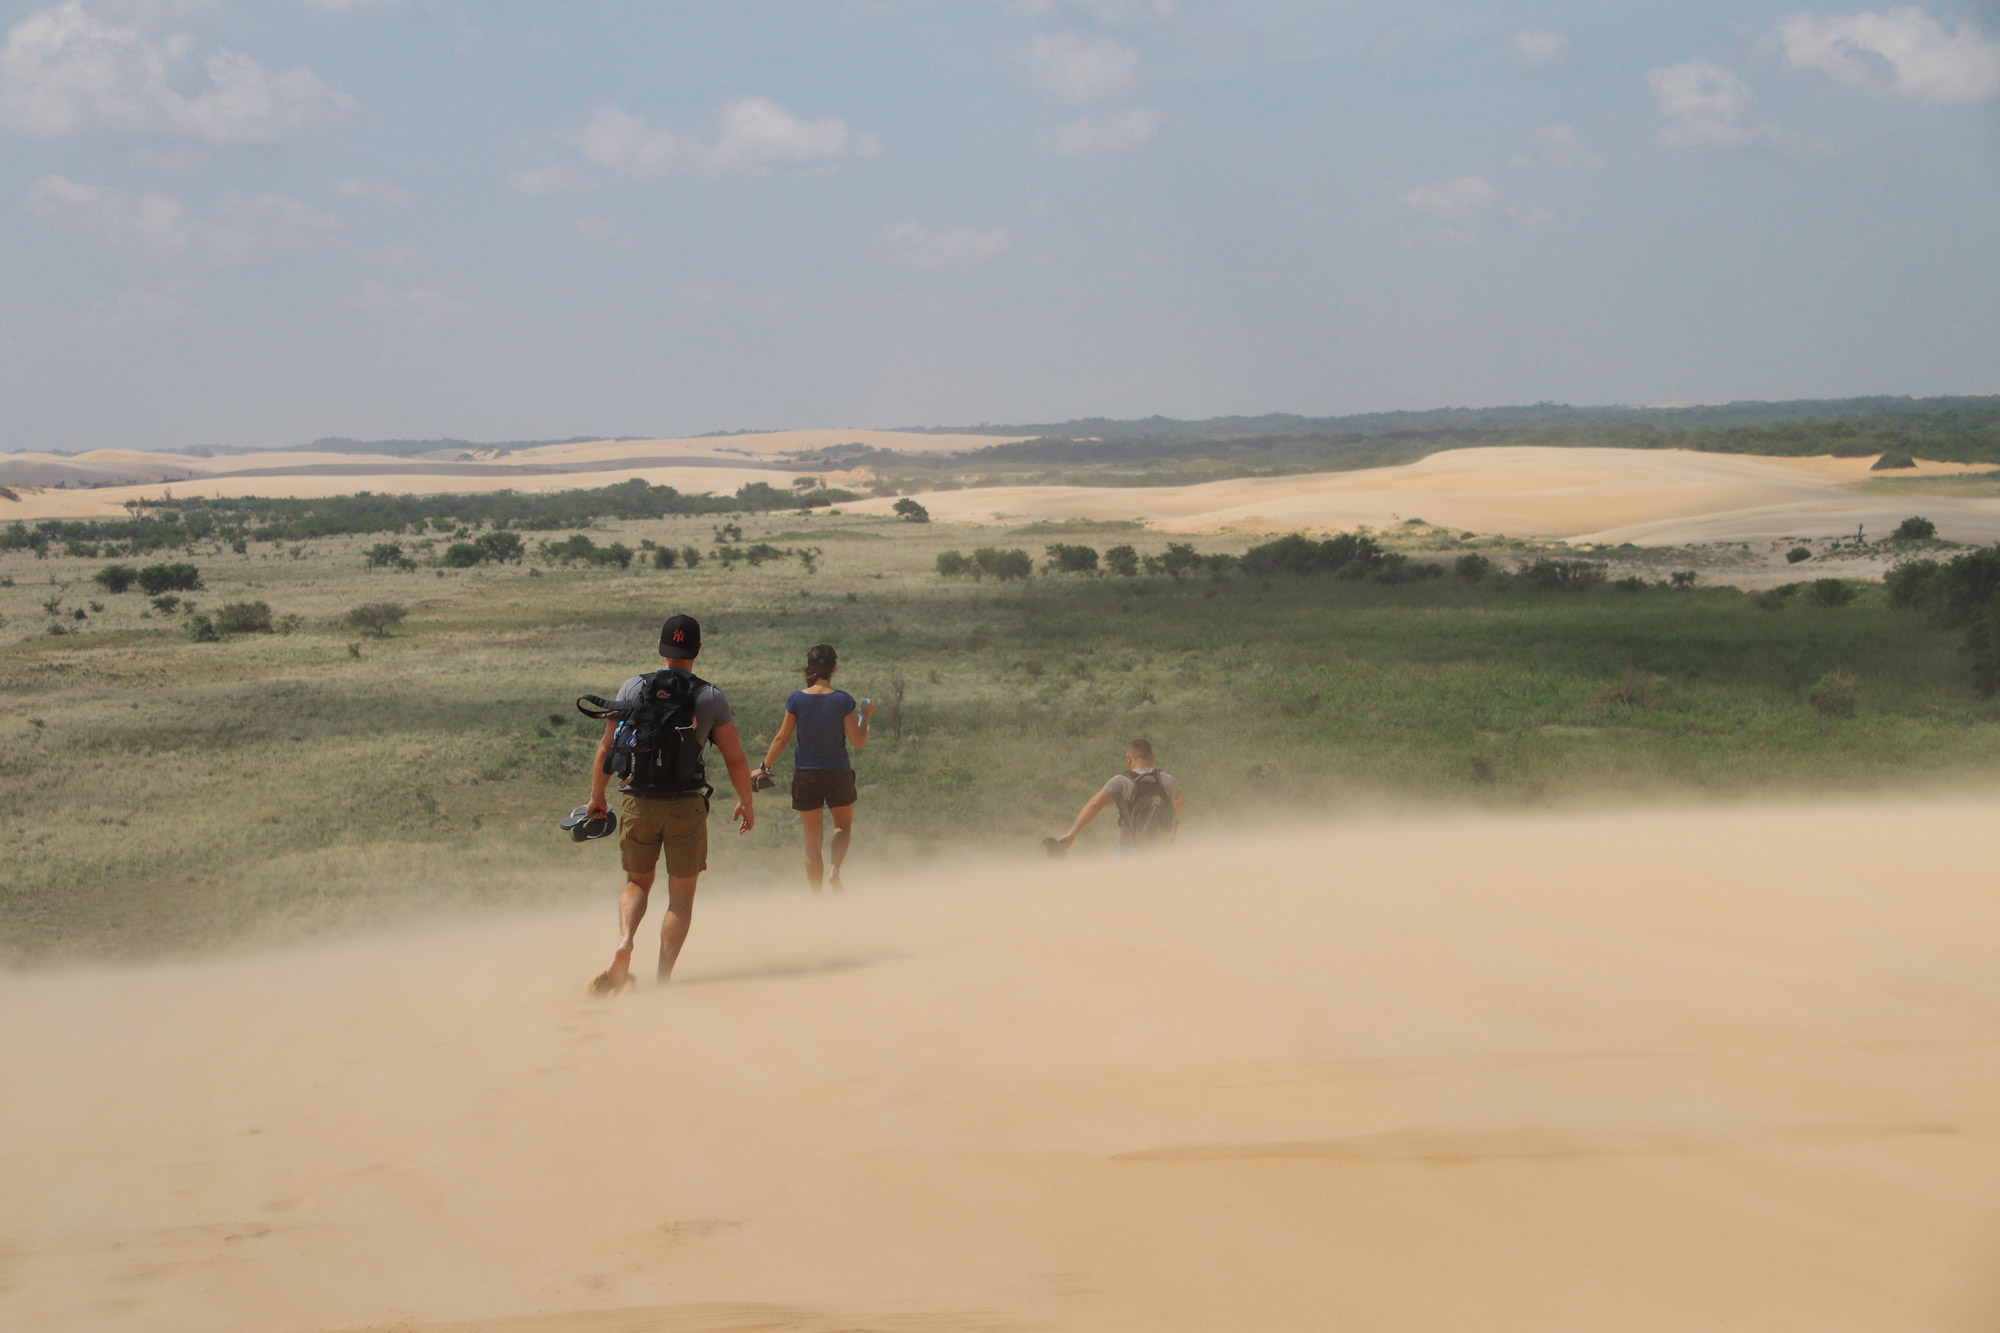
[755,137]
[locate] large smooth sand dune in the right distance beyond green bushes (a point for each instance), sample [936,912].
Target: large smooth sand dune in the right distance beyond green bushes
[1587,495]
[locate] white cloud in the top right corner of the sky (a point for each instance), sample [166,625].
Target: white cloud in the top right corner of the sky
[1901,51]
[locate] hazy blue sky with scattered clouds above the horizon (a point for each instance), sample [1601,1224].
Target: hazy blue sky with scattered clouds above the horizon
[259,223]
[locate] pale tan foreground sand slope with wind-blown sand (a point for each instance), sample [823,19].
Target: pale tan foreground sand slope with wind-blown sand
[1725,1070]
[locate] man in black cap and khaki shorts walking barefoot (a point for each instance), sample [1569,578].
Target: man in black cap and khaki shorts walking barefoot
[673,826]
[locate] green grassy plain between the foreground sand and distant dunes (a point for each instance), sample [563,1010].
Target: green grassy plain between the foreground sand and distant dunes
[171,798]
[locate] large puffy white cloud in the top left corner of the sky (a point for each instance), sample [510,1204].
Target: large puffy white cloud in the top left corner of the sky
[65,71]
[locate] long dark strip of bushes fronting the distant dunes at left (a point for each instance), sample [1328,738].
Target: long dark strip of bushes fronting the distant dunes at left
[159,525]
